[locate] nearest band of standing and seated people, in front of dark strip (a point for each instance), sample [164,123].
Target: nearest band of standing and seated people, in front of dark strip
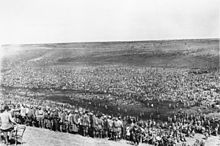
[66,118]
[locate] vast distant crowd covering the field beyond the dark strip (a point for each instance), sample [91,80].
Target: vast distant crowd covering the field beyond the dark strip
[127,83]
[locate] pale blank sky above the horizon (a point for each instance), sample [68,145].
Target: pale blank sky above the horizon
[42,21]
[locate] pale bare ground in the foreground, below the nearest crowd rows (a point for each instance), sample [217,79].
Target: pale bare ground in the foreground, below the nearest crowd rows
[44,137]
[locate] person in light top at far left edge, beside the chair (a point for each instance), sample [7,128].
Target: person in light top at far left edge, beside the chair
[7,123]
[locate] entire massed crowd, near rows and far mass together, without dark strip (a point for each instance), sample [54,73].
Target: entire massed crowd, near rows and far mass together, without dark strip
[125,84]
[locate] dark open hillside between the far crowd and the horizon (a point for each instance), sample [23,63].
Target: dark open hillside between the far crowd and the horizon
[177,54]
